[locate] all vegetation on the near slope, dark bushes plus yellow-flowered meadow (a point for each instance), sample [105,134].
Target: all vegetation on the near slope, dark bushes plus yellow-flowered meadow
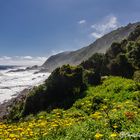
[83,102]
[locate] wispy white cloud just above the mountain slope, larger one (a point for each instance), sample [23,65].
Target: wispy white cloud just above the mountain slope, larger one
[106,25]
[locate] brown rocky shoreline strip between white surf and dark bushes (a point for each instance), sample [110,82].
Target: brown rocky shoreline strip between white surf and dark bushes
[5,107]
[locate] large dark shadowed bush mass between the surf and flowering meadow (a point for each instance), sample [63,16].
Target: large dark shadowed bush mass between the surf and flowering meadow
[63,87]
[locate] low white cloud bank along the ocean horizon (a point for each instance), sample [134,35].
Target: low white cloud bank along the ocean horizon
[22,60]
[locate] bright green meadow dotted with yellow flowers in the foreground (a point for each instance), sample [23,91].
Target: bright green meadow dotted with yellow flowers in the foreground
[106,112]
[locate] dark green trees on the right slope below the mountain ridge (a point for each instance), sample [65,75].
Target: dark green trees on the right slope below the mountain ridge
[121,59]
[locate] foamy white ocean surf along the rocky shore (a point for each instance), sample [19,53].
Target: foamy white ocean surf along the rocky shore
[13,82]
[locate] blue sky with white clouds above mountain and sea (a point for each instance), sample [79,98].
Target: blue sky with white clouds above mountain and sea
[32,30]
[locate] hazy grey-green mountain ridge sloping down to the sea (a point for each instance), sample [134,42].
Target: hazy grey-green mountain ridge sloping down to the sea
[100,46]
